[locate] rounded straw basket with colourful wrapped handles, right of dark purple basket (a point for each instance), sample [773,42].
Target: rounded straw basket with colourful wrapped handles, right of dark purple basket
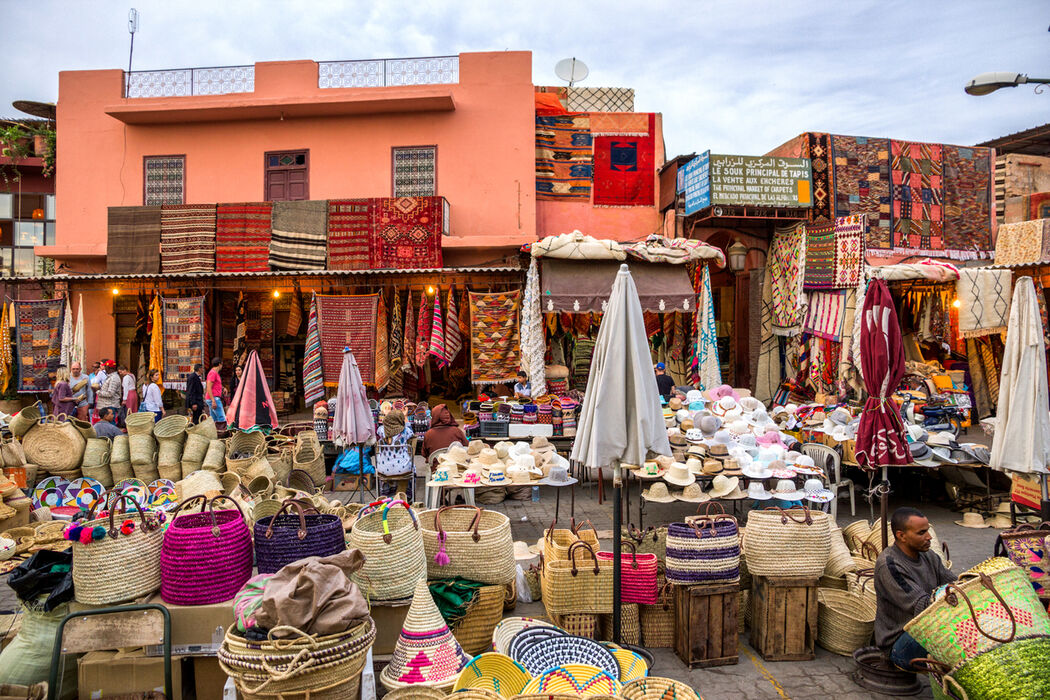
[390,538]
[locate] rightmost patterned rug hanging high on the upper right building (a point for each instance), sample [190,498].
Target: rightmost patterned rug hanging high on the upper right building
[968,202]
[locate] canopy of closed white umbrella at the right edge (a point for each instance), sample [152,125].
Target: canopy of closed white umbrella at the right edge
[1022,440]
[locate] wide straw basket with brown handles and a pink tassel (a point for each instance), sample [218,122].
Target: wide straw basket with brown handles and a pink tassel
[469,542]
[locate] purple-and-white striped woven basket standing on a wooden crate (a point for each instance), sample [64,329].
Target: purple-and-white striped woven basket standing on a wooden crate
[704,551]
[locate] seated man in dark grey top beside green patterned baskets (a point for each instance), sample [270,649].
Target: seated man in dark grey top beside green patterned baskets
[907,575]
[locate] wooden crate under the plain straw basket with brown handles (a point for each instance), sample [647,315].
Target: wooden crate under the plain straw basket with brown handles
[784,618]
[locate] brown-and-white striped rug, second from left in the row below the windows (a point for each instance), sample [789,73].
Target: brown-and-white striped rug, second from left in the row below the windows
[187,239]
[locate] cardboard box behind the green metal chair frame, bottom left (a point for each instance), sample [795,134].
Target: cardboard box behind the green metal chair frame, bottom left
[107,674]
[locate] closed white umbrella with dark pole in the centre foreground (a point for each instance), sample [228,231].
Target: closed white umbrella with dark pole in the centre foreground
[622,420]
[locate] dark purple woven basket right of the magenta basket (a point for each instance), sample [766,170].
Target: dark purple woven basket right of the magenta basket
[288,538]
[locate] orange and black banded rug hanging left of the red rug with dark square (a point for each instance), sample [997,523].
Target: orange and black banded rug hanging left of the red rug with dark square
[564,167]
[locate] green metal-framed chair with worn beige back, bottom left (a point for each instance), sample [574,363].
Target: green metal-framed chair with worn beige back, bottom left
[124,627]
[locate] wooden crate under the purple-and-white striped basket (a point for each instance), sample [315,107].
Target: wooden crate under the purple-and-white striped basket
[706,630]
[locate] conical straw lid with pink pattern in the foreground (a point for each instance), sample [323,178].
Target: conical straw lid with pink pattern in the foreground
[427,653]
